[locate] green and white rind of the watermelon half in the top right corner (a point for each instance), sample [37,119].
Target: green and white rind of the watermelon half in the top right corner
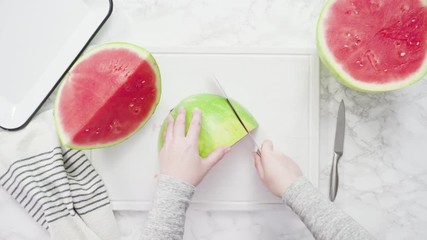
[338,72]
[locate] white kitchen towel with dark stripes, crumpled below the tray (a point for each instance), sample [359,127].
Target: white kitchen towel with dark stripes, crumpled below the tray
[58,187]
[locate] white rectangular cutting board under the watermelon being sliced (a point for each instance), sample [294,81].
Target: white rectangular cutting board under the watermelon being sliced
[279,87]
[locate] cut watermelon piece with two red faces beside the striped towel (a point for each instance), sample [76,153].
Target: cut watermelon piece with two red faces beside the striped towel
[107,96]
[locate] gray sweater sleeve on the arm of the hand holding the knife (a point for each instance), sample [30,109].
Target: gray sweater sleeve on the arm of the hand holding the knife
[324,220]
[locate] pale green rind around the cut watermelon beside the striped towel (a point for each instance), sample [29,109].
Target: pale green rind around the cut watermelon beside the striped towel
[144,54]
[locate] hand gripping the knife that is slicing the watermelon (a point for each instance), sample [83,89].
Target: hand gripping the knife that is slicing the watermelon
[276,170]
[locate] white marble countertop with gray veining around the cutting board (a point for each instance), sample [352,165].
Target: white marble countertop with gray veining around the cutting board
[383,171]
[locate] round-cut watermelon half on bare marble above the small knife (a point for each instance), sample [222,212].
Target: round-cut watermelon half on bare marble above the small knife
[374,45]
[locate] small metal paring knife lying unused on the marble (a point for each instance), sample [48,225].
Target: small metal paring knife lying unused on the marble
[338,151]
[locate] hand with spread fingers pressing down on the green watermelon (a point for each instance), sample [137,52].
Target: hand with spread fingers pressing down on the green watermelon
[179,156]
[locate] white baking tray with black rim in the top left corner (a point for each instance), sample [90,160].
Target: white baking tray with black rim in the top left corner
[39,41]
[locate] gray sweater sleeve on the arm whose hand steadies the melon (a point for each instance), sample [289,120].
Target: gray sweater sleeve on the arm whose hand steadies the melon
[166,220]
